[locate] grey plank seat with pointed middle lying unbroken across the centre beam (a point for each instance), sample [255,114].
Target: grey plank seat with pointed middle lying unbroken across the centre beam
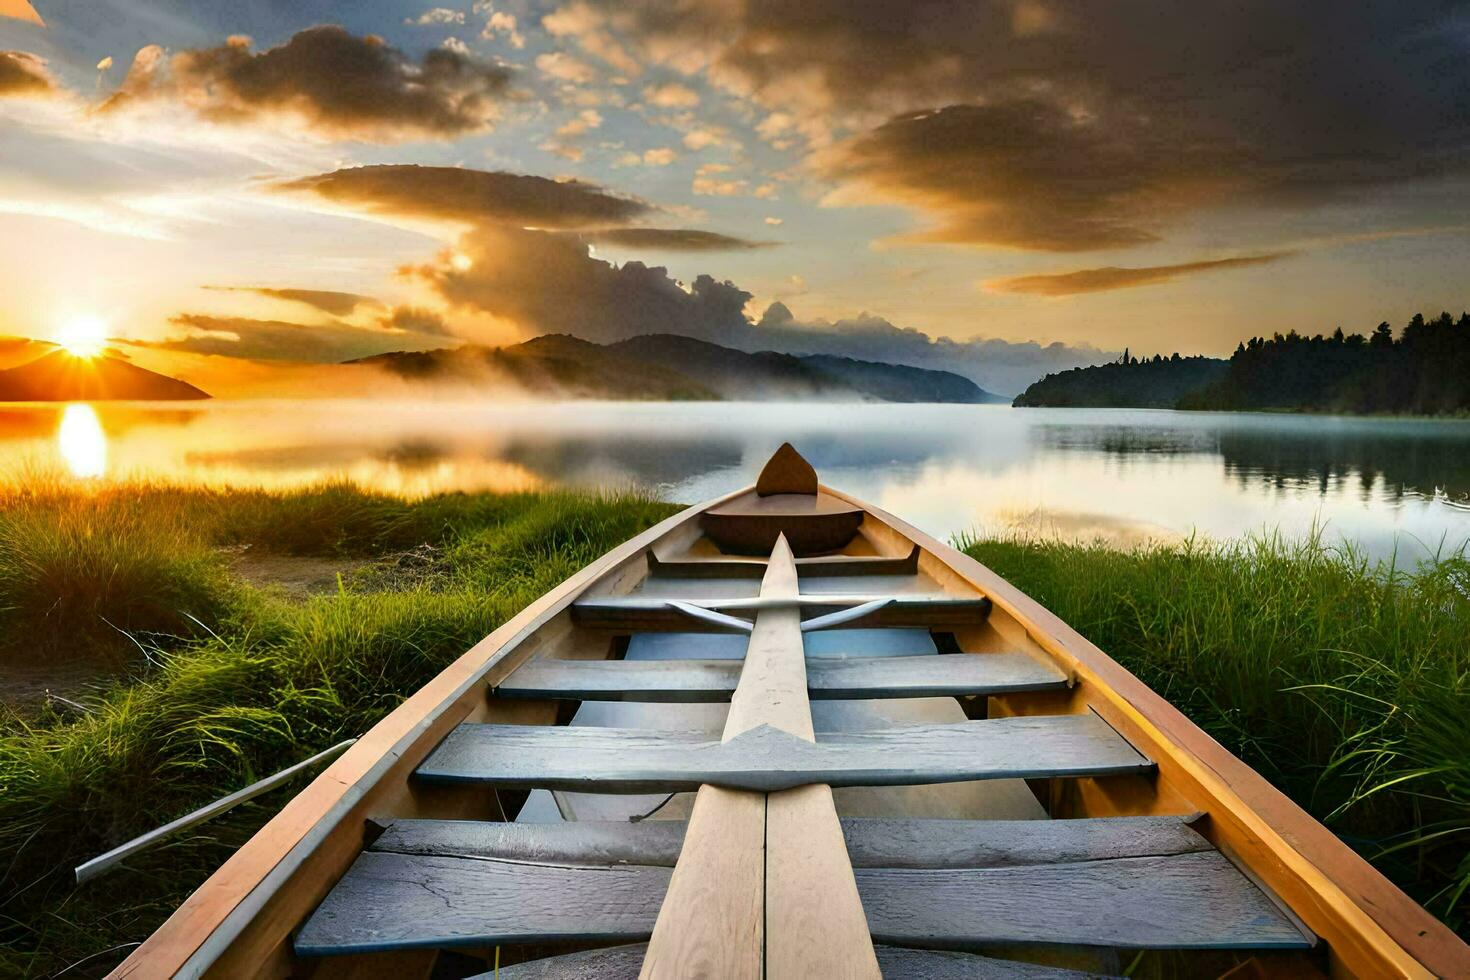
[768,759]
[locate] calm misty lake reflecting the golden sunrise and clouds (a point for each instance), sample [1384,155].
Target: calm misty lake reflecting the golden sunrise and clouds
[1121,475]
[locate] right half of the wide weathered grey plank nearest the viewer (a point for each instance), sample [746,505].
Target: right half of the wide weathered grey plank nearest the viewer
[1181,901]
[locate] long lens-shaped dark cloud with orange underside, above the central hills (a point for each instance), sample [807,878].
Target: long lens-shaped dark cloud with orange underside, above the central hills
[467,196]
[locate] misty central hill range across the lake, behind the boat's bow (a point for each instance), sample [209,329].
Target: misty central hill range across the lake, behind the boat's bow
[665,367]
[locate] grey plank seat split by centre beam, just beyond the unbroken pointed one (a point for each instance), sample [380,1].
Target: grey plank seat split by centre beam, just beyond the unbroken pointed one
[933,677]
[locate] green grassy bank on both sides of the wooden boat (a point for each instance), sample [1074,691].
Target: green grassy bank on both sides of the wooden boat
[1346,688]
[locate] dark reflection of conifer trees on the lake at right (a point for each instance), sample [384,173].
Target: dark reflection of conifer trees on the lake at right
[1415,464]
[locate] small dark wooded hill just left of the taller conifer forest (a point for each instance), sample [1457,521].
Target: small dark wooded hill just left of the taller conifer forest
[1156,383]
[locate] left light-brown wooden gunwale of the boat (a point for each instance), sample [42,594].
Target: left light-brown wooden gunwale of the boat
[215,916]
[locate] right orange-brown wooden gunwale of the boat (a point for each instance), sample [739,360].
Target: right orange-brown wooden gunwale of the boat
[1369,925]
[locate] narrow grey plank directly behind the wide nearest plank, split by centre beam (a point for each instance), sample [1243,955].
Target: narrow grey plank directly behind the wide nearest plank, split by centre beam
[871,844]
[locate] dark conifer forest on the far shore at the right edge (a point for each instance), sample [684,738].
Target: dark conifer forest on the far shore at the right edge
[1424,371]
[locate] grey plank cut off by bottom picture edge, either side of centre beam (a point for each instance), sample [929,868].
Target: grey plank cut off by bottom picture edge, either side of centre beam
[624,963]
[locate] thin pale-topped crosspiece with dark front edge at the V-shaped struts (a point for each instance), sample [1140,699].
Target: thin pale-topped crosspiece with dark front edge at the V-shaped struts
[637,613]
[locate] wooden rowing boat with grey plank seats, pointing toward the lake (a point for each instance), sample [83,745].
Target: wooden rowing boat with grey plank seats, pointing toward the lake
[786,734]
